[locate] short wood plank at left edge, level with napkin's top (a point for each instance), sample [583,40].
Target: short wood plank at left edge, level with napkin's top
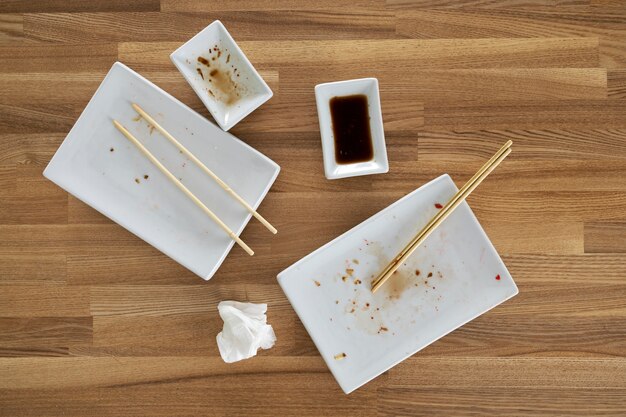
[44,301]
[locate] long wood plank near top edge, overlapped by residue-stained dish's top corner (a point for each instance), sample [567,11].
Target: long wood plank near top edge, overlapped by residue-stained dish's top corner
[243,25]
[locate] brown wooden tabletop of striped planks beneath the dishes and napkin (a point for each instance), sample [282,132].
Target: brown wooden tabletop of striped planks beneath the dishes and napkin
[94,321]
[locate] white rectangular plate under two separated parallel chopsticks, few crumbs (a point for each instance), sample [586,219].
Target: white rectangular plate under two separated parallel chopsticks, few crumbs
[99,166]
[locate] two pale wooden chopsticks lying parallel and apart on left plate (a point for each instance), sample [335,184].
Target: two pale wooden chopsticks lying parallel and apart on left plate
[180,185]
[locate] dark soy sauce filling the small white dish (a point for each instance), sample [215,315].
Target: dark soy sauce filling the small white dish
[351,129]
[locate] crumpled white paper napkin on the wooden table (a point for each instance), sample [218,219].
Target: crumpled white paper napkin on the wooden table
[245,330]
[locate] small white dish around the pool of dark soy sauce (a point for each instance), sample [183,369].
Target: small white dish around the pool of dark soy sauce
[324,93]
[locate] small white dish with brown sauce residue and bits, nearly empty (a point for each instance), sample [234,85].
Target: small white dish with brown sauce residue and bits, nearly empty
[221,75]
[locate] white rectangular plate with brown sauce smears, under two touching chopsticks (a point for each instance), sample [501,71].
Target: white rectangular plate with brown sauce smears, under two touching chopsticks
[454,277]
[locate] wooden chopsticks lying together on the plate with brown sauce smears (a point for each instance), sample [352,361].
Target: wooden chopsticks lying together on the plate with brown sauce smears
[450,206]
